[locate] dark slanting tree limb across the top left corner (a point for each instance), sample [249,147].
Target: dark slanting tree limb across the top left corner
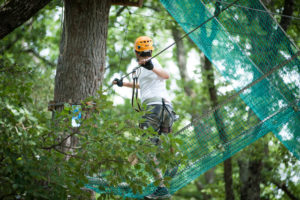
[15,12]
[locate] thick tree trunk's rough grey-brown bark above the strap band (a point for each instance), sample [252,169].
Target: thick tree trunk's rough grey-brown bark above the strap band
[82,51]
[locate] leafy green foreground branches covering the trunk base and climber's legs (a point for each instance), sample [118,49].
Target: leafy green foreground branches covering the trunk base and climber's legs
[33,164]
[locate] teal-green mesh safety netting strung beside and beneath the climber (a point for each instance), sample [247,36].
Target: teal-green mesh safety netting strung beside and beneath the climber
[244,43]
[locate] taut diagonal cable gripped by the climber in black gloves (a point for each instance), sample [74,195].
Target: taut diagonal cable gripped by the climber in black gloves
[183,36]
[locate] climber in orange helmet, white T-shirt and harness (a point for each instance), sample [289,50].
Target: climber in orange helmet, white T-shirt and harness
[152,85]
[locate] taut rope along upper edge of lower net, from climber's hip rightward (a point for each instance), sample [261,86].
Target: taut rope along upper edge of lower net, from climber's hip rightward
[209,111]
